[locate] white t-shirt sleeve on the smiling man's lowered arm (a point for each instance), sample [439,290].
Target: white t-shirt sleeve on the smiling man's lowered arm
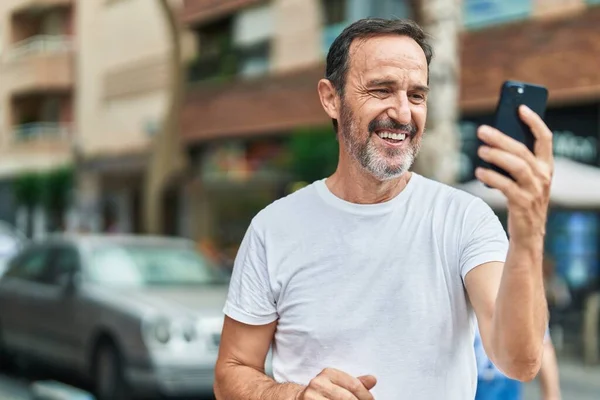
[250,299]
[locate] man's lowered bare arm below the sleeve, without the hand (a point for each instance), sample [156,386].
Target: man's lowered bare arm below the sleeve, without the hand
[240,372]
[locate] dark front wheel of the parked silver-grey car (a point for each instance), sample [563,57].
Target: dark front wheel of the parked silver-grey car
[109,381]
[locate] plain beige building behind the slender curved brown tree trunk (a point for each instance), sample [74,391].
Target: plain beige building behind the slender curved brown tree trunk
[123,83]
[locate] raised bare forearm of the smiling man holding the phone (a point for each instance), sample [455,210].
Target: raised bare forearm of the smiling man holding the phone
[520,314]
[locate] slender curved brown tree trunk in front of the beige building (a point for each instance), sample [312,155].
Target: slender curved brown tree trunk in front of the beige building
[167,156]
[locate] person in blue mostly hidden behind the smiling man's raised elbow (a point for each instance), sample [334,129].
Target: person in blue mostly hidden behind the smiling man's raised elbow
[492,384]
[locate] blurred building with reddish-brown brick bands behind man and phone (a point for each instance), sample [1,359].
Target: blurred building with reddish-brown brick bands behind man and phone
[254,83]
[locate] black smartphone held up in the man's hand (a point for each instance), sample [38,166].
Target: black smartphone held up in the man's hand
[507,119]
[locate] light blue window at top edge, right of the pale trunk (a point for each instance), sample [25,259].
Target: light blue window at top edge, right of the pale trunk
[481,13]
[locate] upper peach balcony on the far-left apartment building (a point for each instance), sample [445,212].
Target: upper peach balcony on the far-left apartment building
[42,62]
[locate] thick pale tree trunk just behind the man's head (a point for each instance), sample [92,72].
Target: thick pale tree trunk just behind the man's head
[440,149]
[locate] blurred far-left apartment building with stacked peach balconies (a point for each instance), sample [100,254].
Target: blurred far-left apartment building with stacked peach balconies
[38,56]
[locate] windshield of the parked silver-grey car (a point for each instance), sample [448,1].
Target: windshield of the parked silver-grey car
[146,265]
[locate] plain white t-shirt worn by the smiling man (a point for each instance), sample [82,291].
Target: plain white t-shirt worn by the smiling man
[369,289]
